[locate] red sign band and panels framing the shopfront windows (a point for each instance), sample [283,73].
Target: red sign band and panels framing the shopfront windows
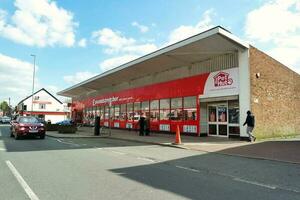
[184,87]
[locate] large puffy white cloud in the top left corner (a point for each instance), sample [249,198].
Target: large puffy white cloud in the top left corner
[38,23]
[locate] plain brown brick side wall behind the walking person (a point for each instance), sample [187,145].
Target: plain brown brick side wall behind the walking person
[275,96]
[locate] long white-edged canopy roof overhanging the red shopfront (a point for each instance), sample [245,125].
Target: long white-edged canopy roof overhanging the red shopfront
[213,42]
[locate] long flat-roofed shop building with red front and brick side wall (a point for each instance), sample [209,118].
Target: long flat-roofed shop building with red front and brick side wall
[204,84]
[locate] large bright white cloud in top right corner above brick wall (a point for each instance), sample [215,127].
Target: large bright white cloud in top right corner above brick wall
[277,24]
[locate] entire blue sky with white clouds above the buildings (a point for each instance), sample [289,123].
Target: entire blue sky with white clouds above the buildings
[75,40]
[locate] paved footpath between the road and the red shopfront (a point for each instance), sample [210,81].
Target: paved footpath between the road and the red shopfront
[285,150]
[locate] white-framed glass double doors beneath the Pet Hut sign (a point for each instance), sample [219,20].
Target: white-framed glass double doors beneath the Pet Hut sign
[218,119]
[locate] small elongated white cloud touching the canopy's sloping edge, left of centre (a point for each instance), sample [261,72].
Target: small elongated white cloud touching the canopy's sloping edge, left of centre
[116,61]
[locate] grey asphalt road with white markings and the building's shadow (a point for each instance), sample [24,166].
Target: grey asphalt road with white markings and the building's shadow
[99,168]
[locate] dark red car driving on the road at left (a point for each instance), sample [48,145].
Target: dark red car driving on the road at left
[27,126]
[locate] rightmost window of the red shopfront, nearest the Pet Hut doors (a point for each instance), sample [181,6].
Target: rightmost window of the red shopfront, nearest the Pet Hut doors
[190,108]
